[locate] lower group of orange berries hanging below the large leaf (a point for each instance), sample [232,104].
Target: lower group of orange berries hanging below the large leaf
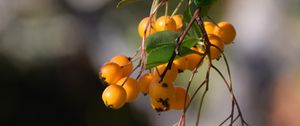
[122,88]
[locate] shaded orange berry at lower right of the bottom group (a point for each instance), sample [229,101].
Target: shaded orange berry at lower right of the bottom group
[180,94]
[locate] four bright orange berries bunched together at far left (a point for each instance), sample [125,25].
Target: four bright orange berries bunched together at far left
[121,88]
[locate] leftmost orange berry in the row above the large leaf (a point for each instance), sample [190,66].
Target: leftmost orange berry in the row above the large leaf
[142,27]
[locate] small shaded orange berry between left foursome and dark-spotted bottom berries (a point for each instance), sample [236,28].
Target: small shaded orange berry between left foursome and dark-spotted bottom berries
[144,82]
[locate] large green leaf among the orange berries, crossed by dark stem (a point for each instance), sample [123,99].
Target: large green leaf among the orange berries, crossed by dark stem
[161,45]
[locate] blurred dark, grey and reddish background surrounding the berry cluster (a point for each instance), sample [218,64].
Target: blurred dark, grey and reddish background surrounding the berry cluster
[51,51]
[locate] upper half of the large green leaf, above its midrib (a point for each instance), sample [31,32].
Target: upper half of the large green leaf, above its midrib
[161,38]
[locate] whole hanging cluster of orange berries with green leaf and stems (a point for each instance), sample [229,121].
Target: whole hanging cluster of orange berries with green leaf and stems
[170,45]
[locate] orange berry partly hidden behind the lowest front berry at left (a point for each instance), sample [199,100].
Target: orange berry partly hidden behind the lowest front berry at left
[131,87]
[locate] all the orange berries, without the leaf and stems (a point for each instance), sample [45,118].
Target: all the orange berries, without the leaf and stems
[164,95]
